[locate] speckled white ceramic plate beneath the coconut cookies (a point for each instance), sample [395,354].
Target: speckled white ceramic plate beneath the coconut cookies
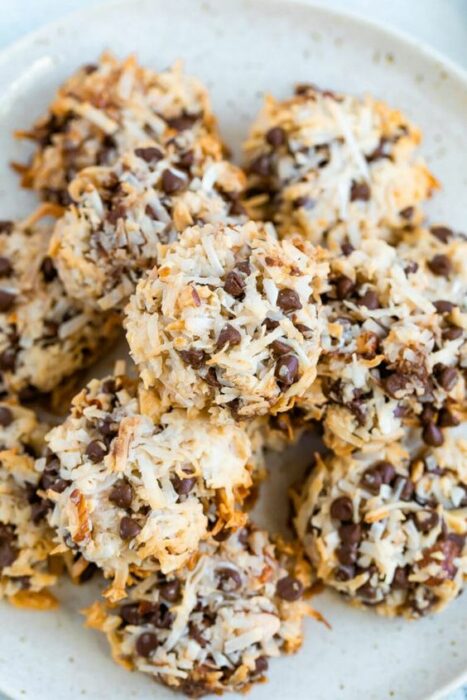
[242,49]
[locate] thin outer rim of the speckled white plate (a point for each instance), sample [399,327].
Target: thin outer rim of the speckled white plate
[453,69]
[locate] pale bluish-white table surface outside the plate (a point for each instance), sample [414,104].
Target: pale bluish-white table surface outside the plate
[439,23]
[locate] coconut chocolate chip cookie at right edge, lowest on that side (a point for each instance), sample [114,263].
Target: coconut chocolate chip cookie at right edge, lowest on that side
[388,531]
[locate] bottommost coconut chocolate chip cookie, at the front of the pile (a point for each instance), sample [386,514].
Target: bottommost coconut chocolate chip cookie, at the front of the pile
[212,626]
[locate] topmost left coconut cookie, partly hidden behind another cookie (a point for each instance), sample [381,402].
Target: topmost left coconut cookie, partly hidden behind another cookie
[104,109]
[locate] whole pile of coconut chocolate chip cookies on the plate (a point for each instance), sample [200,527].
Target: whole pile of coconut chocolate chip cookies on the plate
[305,291]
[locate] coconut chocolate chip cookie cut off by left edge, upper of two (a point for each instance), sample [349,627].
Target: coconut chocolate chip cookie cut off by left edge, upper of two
[44,335]
